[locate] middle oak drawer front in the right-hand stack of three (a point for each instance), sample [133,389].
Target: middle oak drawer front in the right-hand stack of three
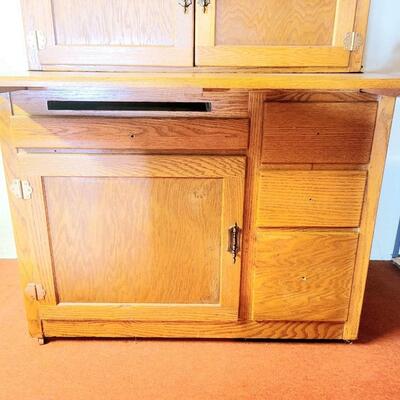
[310,198]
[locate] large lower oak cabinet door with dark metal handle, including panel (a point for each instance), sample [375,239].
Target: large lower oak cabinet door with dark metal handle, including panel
[124,237]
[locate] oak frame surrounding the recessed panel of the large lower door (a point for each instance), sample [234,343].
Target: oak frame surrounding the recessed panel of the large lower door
[34,167]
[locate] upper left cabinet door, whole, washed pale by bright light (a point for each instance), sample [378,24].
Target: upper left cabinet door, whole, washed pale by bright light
[113,34]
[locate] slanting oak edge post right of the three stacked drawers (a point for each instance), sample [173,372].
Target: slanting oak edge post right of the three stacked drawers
[368,218]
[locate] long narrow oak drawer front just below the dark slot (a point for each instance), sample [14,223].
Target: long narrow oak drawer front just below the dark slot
[130,133]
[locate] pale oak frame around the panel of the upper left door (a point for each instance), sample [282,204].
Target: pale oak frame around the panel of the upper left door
[45,54]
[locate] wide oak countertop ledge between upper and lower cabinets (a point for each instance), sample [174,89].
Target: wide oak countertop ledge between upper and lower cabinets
[384,83]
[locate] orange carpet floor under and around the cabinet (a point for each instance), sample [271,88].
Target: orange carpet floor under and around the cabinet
[176,369]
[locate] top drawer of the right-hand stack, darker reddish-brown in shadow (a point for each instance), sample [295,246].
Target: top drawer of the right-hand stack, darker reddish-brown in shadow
[330,133]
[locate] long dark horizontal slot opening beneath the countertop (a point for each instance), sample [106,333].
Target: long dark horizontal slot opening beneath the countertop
[56,105]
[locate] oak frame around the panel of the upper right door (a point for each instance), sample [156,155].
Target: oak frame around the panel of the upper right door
[351,15]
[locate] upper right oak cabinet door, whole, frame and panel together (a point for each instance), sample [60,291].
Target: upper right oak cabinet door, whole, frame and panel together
[280,33]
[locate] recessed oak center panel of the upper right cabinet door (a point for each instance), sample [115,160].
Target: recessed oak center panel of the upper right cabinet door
[274,23]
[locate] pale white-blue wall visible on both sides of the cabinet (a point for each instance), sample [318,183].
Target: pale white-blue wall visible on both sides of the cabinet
[382,55]
